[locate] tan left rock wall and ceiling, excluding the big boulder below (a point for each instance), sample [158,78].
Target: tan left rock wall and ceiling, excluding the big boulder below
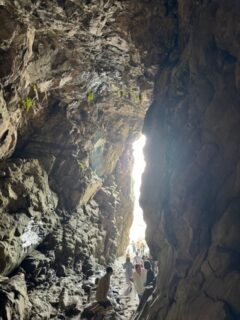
[75,92]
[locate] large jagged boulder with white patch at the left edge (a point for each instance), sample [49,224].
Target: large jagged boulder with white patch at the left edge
[27,211]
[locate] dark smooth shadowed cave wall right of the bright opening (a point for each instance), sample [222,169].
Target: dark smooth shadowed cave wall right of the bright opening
[191,192]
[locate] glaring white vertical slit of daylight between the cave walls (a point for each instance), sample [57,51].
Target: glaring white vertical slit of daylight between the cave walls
[137,231]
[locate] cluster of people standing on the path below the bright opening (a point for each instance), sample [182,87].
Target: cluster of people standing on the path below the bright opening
[140,272]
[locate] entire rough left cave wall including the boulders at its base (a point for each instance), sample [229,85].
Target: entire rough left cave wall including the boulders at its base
[75,86]
